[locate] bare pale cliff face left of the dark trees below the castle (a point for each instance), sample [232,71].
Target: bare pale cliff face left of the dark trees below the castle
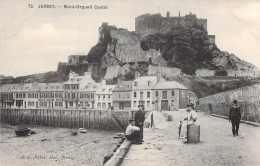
[125,47]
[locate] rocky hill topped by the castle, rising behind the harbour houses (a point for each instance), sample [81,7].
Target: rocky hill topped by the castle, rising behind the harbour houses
[184,43]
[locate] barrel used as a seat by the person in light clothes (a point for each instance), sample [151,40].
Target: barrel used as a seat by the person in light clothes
[193,133]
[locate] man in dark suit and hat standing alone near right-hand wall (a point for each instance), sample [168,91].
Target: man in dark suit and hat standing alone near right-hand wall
[235,117]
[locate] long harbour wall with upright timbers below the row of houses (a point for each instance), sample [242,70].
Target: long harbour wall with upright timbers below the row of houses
[94,119]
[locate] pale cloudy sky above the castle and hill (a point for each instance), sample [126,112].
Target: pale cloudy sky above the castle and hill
[34,40]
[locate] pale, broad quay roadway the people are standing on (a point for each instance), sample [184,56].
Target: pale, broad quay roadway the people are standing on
[217,145]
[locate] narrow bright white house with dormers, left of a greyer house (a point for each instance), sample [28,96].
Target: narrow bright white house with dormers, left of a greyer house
[103,96]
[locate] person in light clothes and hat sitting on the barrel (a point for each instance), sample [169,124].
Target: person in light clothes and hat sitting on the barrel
[191,119]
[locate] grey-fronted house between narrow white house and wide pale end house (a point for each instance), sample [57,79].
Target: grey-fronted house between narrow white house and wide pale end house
[122,95]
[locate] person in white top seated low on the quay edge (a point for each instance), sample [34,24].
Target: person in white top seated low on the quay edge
[132,132]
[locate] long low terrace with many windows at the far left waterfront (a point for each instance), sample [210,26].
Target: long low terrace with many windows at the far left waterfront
[32,95]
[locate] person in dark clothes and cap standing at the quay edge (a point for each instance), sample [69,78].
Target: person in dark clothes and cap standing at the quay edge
[139,121]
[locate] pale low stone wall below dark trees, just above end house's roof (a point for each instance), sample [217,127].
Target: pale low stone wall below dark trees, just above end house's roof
[153,70]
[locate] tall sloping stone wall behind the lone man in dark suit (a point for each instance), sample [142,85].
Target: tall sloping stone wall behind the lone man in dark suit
[248,98]
